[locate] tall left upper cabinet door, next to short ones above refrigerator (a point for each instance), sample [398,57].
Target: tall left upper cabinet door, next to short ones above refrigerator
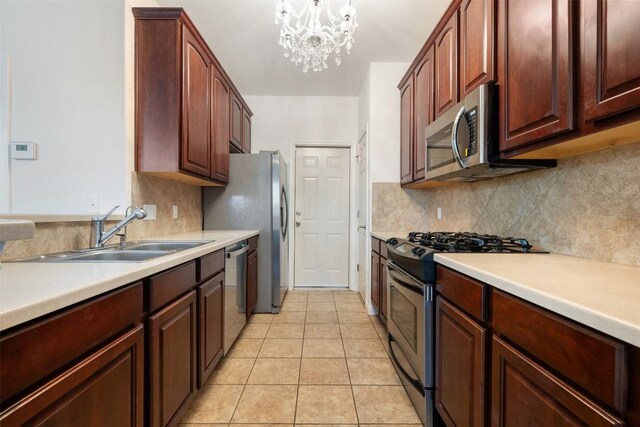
[219,126]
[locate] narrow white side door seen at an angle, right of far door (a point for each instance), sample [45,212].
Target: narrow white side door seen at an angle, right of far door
[363,256]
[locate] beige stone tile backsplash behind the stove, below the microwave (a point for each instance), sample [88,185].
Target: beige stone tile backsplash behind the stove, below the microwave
[589,206]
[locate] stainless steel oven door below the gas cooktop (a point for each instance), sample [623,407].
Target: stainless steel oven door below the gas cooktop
[406,323]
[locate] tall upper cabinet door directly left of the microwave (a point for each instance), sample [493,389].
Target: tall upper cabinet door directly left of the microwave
[423,111]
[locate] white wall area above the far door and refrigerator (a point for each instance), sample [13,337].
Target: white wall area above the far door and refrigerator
[277,120]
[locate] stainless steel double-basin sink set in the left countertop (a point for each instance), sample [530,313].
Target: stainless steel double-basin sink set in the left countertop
[136,251]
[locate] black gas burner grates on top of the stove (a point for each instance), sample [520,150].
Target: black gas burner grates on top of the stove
[470,242]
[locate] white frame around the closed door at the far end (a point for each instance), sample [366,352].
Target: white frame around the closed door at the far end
[353,283]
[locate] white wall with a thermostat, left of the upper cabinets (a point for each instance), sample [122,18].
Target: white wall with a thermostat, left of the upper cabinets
[67,95]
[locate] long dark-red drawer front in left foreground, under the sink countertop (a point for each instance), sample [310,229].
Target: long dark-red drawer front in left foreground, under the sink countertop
[32,353]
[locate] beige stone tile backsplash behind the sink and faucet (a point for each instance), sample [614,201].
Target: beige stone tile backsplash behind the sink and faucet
[145,189]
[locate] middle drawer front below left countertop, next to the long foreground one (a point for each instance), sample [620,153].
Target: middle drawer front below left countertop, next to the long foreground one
[167,286]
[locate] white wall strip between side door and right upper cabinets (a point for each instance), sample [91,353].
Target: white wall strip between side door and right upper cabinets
[384,120]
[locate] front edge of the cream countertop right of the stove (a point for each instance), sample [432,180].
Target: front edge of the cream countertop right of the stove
[617,328]
